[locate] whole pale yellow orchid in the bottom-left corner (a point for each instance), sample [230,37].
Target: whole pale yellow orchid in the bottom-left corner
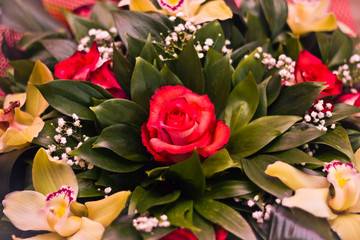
[52,206]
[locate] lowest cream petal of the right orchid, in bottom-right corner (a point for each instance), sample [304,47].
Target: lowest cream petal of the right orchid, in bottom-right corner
[346,226]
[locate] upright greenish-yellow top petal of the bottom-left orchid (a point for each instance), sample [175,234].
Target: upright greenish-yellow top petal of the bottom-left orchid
[50,175]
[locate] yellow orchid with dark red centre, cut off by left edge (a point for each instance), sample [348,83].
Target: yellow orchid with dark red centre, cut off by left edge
[17,127]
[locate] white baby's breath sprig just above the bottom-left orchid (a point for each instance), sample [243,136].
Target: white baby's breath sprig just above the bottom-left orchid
[60,148]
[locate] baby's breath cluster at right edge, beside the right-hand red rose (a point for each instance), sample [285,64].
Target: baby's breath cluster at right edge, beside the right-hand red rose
[349,73]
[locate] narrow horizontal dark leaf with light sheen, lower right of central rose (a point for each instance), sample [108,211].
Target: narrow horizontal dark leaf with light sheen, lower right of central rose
[230,188]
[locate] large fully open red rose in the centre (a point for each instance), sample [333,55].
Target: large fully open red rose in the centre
[179,122]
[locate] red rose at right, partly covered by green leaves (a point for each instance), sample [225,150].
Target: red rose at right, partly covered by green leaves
[309,68]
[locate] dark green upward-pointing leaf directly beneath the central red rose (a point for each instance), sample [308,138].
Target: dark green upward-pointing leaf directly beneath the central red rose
[189,175]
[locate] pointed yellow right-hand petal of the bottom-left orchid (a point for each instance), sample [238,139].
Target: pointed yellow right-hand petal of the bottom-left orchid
[106,210]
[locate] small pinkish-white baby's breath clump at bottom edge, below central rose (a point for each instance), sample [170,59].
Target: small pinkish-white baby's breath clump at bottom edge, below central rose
[146,224]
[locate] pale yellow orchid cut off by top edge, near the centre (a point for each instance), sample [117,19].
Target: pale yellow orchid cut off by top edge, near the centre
[199,11]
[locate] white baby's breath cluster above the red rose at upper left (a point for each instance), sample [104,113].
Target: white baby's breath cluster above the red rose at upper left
[104,40]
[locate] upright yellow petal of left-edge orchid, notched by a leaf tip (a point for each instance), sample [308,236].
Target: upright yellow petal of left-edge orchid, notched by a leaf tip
[35,102]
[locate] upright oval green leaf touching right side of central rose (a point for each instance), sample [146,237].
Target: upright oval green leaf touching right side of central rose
[242,103]
